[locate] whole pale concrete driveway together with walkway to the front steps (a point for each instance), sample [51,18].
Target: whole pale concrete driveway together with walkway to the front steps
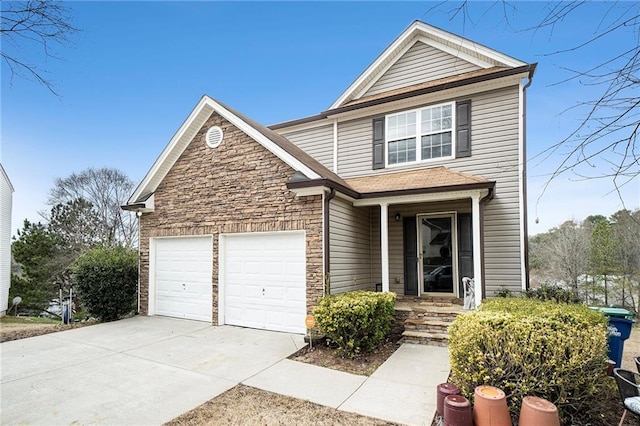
[148,370]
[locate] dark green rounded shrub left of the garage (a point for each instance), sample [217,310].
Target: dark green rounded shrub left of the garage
[106,280]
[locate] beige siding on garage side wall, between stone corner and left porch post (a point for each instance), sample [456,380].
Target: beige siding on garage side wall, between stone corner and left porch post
[350,245]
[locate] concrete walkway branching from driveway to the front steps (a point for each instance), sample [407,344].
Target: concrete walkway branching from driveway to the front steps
[402,390]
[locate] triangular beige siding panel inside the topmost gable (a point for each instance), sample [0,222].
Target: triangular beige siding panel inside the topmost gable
[419,64]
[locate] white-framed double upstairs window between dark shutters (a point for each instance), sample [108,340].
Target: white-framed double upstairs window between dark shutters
[421,134]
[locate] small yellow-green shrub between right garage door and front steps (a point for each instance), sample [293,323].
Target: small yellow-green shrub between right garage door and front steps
[355,322]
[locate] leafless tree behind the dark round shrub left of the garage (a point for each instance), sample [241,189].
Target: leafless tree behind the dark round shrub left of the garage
[106,189]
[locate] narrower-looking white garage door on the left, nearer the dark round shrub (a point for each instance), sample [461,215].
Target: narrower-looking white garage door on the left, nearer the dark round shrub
[183,270]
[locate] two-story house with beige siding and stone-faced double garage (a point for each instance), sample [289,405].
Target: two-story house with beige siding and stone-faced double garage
[412,179]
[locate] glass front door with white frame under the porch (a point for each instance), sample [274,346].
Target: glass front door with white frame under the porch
[437,249]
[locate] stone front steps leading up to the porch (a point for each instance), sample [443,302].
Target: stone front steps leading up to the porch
[425,321]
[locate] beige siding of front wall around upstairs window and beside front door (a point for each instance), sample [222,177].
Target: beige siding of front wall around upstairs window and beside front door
[494,156]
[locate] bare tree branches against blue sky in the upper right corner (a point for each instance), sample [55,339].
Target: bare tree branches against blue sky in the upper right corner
[609,127]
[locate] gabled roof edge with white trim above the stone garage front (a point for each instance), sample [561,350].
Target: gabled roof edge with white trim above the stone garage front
[284,149]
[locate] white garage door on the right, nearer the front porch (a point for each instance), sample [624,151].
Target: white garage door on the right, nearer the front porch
[264,281]
